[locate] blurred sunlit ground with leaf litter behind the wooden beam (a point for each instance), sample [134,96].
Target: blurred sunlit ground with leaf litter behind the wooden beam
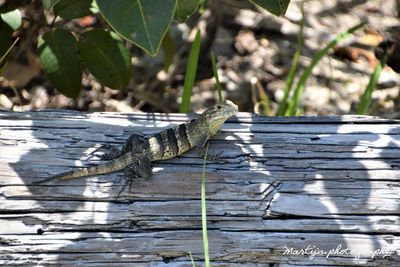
[254,50]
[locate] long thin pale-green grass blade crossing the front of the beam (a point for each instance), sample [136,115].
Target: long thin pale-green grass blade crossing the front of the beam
[204,212]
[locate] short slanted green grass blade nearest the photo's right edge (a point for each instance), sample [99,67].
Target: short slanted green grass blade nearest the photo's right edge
[366,97]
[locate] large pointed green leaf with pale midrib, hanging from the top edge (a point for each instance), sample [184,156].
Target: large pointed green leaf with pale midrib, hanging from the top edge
[143,22]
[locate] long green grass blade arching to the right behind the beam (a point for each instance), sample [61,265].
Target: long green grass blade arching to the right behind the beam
[292,107]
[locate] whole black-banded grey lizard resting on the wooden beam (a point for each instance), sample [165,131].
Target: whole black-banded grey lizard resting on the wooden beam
[138,152]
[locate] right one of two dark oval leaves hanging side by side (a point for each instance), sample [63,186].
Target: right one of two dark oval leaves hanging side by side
[106,57]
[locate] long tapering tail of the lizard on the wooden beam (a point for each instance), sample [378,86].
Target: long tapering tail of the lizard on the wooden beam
[113,166]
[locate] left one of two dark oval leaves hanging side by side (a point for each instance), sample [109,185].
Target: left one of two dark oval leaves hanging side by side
[59,57]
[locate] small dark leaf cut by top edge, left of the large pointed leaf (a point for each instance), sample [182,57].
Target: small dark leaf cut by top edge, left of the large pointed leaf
[71,9]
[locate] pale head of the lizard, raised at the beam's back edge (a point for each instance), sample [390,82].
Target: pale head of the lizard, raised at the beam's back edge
[216,115]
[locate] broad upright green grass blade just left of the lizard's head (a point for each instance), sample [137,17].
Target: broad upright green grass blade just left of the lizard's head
[190,75]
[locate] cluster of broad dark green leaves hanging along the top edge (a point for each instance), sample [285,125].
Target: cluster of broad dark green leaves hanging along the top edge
[103,51]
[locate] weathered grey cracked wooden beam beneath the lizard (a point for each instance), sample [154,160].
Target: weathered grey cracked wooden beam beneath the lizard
[298,191]
